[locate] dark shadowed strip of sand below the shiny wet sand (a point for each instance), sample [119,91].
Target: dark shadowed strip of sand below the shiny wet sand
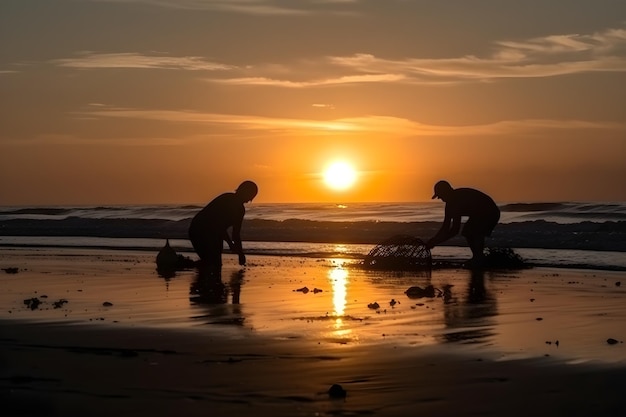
[50,370]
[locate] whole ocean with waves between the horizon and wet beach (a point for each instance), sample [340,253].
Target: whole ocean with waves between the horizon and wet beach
[555,234]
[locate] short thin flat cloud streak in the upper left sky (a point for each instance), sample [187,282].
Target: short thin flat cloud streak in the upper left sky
[92,60]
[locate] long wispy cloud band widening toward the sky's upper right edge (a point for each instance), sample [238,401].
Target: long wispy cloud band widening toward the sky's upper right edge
[549,56]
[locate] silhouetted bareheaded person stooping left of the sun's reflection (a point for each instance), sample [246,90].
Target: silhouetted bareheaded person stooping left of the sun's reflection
[209,228]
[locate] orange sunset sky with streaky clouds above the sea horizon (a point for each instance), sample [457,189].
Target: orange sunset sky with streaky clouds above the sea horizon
[175,101]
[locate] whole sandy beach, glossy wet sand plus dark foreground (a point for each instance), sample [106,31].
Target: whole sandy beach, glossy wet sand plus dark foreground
[109,336]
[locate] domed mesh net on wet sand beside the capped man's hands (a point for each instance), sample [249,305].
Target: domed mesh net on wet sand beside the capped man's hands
[400,252]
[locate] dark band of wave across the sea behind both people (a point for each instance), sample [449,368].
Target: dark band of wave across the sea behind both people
[587,235]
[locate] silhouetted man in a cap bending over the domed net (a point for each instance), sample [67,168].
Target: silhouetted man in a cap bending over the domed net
[482,212]
